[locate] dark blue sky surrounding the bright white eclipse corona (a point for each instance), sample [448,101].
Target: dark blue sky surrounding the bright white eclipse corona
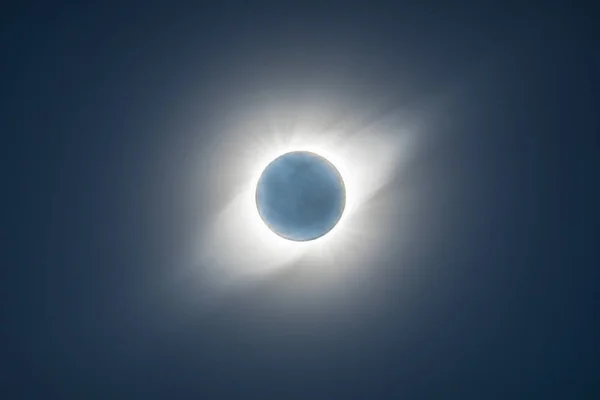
[508,305]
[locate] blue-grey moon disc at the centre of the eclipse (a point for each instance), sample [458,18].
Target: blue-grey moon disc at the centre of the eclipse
[300,196]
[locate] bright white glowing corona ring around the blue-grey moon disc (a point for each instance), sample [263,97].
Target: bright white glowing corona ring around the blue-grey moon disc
[238,245]
